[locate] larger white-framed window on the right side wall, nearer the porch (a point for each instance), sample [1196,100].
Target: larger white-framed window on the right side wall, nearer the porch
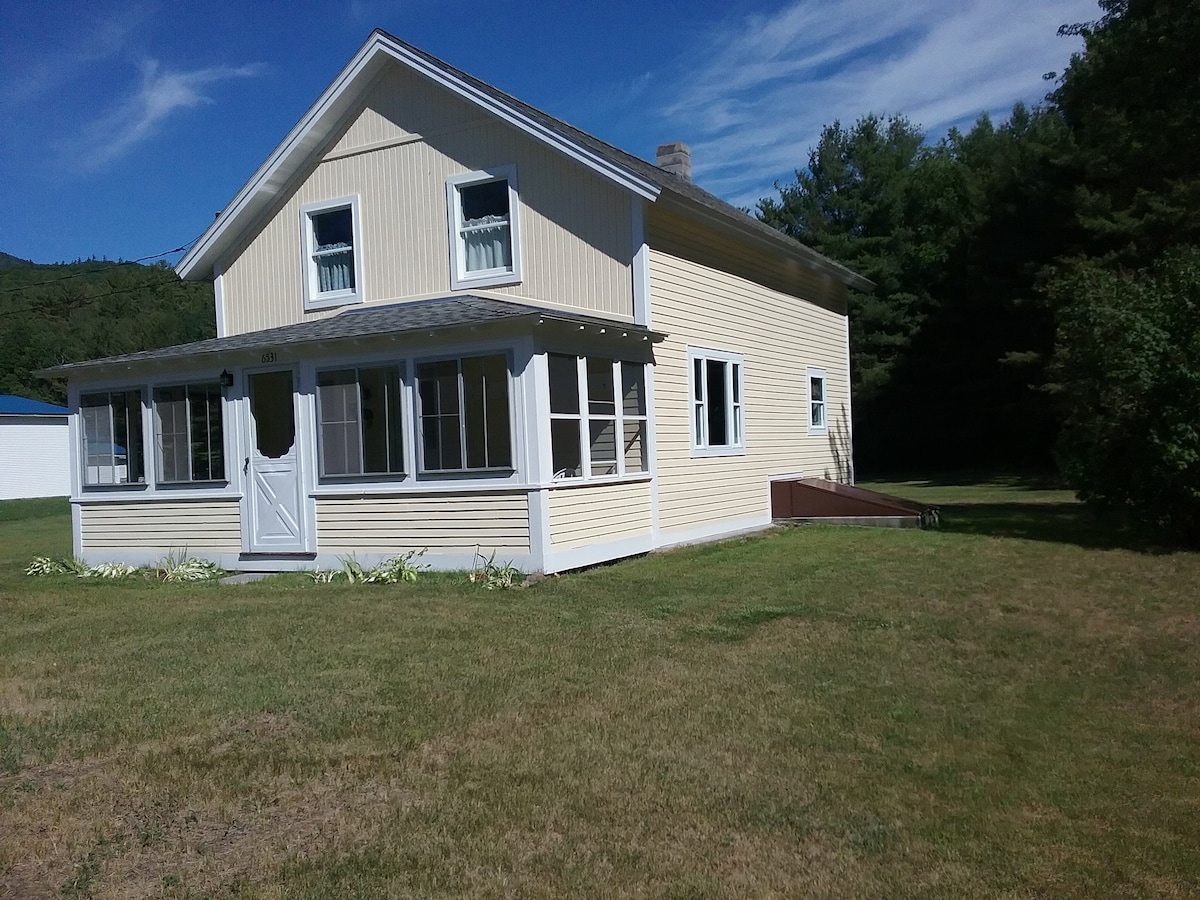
[718,416]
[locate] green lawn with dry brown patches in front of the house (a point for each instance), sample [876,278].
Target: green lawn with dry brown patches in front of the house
[1006,707]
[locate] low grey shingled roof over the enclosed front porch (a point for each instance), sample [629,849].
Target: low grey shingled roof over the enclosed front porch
[457,311]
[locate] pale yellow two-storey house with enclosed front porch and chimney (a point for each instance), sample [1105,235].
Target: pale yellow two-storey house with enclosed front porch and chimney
[449,321]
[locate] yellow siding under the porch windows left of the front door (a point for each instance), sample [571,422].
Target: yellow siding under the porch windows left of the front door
[196,526]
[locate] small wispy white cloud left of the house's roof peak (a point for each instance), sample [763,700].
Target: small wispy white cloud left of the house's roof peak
[141,116]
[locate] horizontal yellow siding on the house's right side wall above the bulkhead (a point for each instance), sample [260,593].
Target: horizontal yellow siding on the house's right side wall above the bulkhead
[779,338]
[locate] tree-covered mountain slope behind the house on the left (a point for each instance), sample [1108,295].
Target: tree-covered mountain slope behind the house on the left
[75,311]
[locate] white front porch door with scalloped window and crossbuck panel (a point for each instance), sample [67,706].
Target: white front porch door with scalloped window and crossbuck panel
[273,469]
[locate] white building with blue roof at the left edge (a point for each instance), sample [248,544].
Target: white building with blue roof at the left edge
[35,458]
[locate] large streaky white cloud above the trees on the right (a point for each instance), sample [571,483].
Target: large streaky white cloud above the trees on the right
[769,85]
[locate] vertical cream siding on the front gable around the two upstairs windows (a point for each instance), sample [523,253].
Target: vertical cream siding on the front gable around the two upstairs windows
[397,153]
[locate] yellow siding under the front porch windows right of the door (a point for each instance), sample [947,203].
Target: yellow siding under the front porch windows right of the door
[440,523]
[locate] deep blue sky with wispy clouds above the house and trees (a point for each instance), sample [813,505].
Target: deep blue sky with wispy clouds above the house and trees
[129,125]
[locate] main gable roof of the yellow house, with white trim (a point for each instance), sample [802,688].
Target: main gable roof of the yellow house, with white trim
[316,129]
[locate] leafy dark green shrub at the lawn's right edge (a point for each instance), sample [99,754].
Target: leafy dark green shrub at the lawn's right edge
[1129,362]
